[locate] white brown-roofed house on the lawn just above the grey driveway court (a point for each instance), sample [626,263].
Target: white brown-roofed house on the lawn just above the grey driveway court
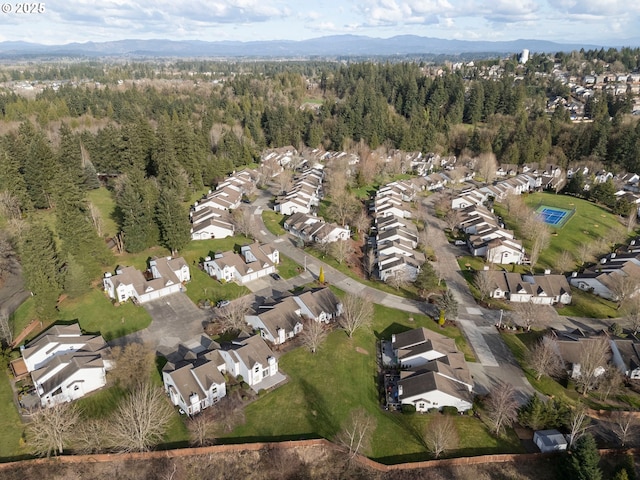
[165,276]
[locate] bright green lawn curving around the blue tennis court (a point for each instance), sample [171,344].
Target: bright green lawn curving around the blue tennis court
[590,223]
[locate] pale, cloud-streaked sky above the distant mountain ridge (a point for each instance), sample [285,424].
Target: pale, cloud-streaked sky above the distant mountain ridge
[599,22]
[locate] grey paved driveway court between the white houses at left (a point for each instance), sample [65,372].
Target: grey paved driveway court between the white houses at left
[175,319]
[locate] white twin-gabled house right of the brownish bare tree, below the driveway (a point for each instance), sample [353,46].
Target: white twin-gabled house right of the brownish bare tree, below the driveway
[194,381]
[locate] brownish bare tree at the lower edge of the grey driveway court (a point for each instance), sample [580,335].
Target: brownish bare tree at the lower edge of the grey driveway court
[133,364]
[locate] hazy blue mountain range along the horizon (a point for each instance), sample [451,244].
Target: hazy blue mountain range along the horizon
[330,46]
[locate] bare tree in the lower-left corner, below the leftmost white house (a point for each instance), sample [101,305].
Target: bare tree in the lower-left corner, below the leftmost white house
[53,428]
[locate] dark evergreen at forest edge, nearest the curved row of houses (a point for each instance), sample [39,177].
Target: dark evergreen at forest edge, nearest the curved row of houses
[173,220]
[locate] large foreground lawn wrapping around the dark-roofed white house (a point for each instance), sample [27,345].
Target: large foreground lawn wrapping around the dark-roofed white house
[324,388]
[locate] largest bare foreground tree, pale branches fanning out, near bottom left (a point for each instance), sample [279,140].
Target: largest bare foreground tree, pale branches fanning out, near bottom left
[141,420]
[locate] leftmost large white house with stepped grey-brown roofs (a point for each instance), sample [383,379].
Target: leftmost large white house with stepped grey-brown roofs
[65,364]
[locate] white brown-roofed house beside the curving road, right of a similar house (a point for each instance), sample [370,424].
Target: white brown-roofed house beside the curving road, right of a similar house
[254,261]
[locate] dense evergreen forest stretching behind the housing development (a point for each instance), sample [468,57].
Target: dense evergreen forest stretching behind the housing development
[165,131]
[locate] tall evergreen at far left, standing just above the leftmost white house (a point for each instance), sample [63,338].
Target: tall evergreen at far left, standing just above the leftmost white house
[41,267]
